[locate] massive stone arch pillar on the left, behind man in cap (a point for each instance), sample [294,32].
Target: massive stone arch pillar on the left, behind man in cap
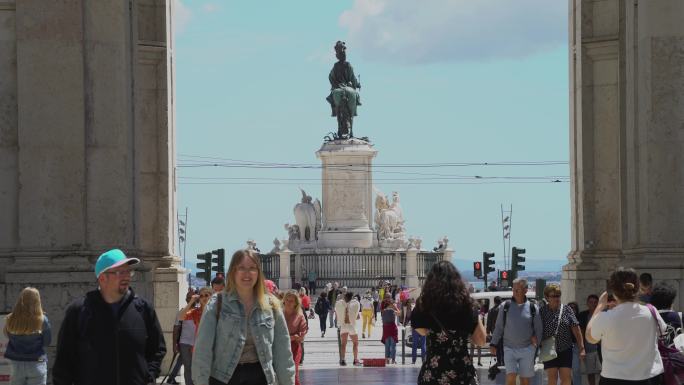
[87,149]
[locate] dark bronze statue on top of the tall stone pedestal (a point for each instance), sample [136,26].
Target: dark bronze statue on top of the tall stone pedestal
[343,88]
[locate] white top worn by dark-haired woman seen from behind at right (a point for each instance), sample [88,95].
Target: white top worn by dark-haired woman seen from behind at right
[628,342]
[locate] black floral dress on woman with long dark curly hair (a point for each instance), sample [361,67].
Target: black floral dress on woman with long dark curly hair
[448,359]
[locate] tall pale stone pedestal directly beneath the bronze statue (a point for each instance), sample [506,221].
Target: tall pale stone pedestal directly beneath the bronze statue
[347,195]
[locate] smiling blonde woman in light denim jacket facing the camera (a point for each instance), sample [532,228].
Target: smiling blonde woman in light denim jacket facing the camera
[242,337]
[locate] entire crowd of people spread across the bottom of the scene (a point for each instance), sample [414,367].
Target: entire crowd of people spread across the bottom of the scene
[243,330]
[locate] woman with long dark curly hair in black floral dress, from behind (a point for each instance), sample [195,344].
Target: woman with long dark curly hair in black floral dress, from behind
[446,315]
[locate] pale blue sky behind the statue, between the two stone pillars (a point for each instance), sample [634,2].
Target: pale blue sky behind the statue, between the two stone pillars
[448,81]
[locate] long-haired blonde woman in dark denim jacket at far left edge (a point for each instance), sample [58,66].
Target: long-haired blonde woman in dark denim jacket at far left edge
[29,333]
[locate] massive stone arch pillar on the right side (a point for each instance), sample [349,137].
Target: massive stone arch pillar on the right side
[627,110]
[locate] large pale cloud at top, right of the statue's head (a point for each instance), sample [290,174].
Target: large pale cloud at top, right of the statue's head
[410,32]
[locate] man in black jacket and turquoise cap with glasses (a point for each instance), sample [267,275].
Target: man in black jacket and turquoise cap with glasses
[110,336]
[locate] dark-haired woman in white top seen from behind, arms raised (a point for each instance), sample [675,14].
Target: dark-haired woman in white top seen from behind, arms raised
[627,334]
